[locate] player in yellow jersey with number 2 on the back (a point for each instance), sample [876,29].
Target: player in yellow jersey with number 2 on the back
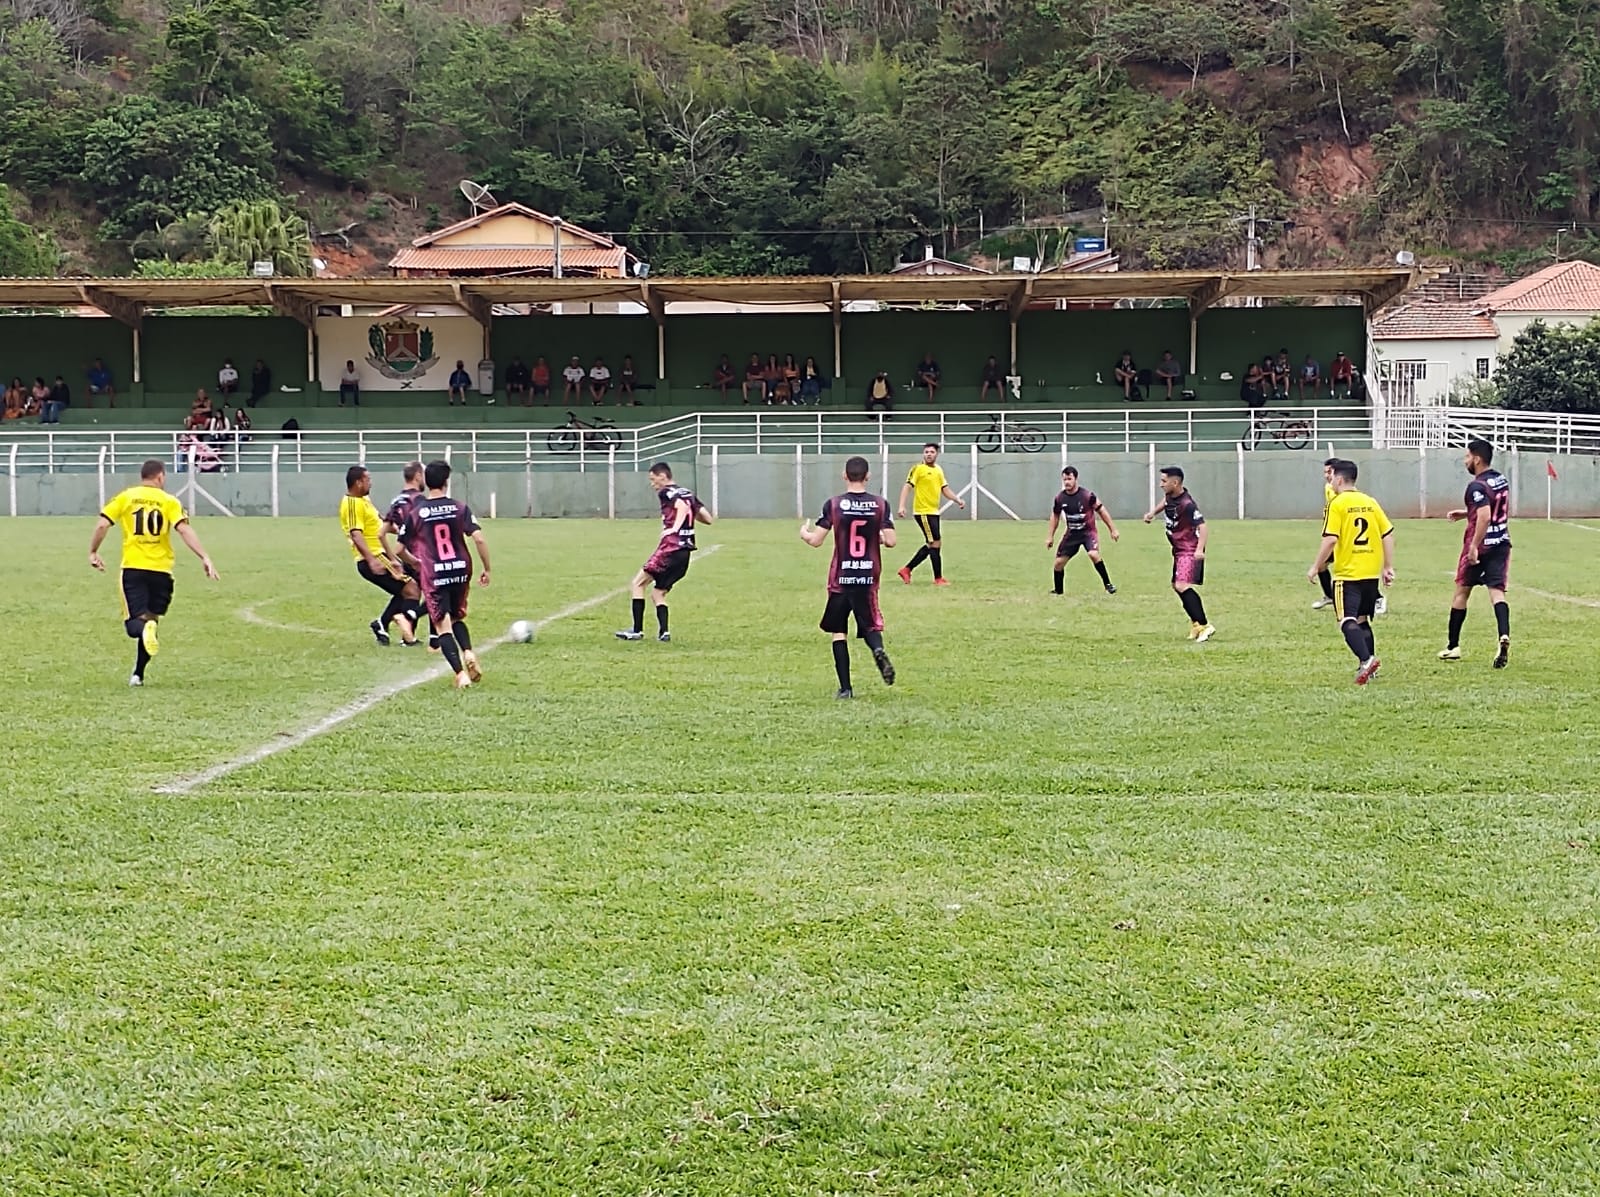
[1359,538]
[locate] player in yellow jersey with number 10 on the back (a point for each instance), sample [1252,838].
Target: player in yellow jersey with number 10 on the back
[148,518]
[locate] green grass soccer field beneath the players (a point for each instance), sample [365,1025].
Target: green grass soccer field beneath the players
[1074,908]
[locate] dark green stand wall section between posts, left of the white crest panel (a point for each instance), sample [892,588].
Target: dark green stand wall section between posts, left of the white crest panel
[182,353]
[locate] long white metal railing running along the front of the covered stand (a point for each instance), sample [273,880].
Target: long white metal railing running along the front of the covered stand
[817,431]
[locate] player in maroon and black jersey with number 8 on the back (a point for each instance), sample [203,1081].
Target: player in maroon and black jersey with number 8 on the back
[439,534]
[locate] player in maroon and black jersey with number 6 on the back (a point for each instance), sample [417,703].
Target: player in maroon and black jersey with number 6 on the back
[862,526]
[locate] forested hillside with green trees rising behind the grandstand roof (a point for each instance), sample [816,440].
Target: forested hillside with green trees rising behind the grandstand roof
[804,135]
